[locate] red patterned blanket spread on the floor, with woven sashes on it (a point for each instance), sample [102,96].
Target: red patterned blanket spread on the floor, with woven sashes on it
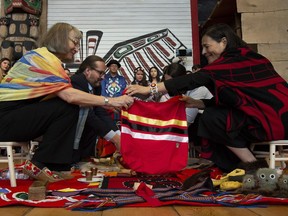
[118,191]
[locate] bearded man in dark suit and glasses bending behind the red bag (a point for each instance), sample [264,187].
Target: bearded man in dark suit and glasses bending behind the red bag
[98,121]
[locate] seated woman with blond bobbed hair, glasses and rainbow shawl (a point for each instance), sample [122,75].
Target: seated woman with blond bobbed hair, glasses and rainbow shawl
[37,99]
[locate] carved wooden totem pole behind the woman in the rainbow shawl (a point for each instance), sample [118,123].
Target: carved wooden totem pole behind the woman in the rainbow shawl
[19,29]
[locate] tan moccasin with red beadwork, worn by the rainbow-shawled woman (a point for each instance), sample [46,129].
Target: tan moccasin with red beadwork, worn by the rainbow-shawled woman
[44,174]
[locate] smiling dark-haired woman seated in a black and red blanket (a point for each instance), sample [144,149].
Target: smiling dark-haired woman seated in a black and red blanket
[250,102]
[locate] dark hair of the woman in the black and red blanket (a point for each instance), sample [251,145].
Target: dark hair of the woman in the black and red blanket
[218,31]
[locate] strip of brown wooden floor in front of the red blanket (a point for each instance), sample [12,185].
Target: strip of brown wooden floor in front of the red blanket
[145,211]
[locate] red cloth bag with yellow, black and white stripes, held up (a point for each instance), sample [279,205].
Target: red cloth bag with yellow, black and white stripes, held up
[154,136]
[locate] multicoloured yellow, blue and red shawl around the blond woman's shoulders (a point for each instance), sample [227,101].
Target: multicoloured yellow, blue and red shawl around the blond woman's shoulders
[37,73]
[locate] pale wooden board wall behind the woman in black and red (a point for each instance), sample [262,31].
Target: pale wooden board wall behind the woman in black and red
[264,22]
